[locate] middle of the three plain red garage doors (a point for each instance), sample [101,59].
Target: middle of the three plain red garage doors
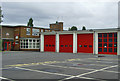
[66,43]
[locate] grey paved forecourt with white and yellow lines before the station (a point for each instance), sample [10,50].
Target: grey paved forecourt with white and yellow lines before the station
[36,66]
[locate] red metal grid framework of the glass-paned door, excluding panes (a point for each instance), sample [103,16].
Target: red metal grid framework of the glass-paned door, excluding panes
[113,43]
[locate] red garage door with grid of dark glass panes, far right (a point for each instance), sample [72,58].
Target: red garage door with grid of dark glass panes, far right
[107,43]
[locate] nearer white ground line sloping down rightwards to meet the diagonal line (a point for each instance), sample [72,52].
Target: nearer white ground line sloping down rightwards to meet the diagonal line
[43,71]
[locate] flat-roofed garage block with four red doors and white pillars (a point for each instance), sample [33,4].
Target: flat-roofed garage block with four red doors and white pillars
[96,41]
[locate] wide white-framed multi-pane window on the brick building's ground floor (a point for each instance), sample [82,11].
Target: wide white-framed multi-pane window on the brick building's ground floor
[29,44]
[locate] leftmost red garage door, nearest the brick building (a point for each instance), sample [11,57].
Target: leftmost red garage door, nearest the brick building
[49,43]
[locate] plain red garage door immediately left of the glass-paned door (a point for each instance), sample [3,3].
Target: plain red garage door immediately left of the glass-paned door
[85,43]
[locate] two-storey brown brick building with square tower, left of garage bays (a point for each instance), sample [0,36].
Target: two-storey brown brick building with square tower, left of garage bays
[24,38]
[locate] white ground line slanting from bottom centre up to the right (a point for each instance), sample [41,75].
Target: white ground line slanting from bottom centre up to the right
[89,72]
